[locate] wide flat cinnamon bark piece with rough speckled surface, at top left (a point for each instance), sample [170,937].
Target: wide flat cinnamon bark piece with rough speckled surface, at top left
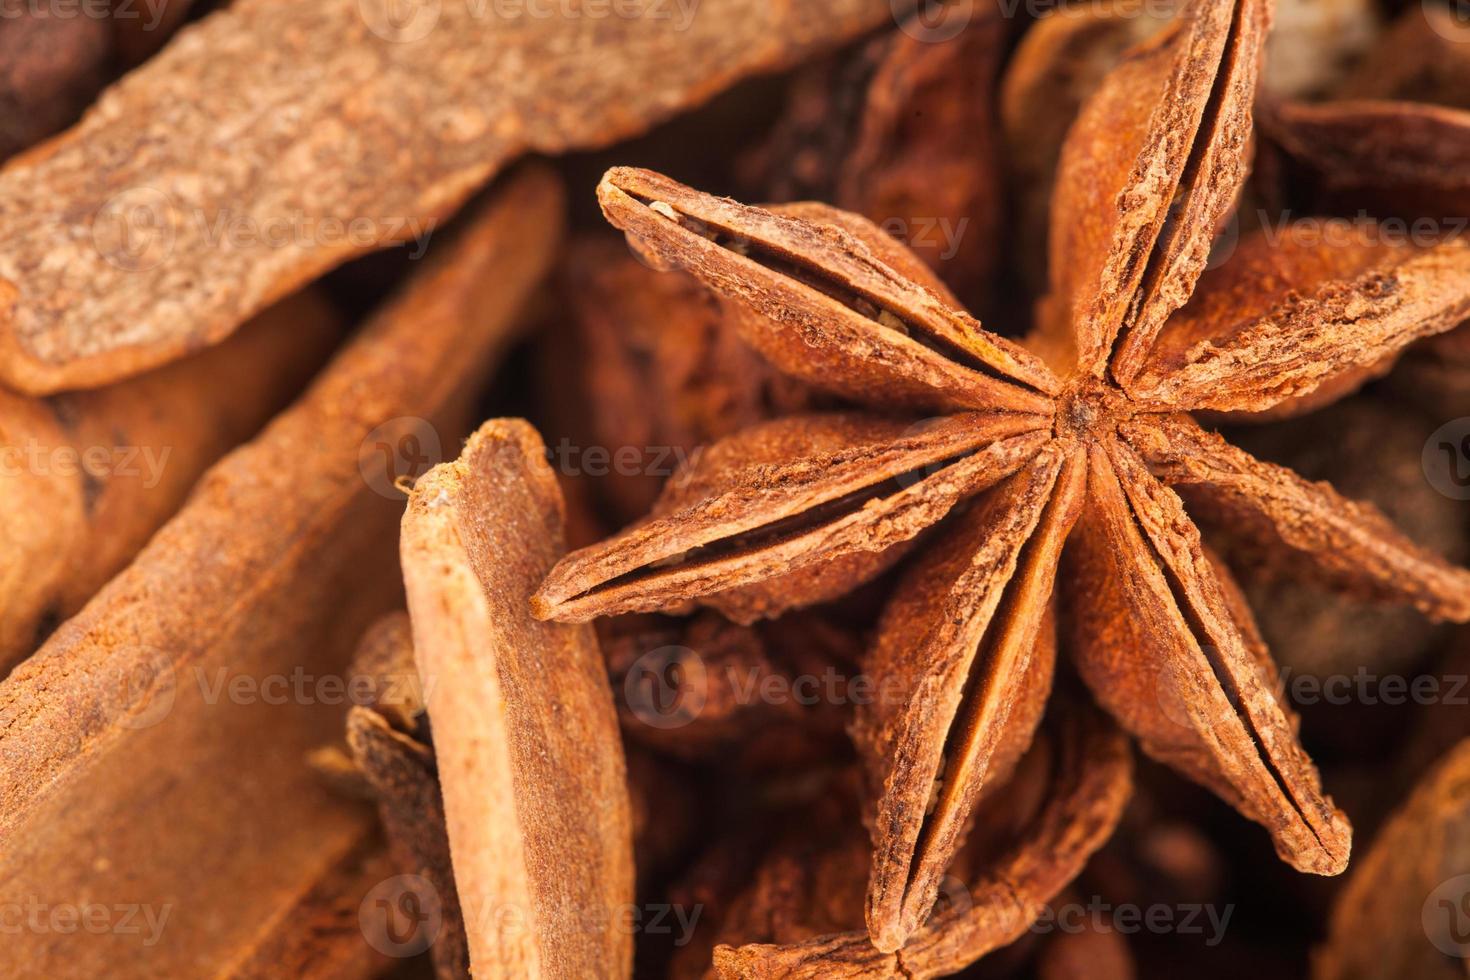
[111,252]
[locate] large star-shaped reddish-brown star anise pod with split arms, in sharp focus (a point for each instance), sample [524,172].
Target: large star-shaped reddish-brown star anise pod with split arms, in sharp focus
[1080,449]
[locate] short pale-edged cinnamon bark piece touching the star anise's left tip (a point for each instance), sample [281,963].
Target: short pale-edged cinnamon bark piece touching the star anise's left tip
[526,735]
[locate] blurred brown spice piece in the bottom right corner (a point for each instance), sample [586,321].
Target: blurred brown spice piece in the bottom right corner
[1403,912]
